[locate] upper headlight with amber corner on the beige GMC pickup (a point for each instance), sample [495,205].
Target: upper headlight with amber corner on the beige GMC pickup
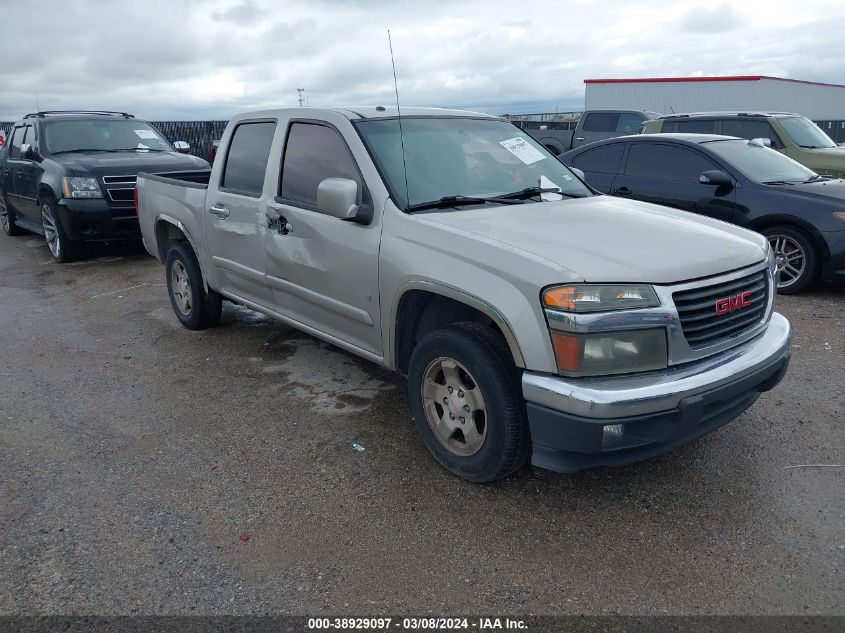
[600,298]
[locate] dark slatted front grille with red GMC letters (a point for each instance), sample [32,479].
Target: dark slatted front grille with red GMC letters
[701,322]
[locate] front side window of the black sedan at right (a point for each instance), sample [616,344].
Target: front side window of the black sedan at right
[666,162]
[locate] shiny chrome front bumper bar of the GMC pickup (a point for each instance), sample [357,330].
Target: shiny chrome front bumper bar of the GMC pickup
[622,397]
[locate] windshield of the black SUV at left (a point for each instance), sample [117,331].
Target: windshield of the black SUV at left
[102,135]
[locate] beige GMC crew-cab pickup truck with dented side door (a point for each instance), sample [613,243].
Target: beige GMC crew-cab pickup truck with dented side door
[535,319]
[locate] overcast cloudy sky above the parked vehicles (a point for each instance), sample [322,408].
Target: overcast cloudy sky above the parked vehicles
[199,59]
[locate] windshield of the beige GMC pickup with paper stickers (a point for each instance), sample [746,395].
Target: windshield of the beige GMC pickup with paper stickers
[460,156]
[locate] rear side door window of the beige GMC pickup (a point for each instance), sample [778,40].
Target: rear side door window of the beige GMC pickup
[246,160]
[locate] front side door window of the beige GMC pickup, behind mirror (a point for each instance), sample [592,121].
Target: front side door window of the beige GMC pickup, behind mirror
[313,153]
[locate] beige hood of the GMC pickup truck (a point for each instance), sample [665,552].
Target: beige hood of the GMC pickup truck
[608,239]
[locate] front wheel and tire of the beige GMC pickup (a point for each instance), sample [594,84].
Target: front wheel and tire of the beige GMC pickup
[466,399]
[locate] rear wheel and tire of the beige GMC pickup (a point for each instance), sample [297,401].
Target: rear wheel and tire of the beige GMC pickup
[195,307]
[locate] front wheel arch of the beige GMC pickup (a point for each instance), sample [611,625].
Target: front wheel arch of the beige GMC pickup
[422,306]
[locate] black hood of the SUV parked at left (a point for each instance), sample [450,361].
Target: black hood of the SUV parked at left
[100,164]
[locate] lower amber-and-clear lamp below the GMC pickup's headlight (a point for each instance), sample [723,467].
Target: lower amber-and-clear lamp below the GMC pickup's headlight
[610,353]
